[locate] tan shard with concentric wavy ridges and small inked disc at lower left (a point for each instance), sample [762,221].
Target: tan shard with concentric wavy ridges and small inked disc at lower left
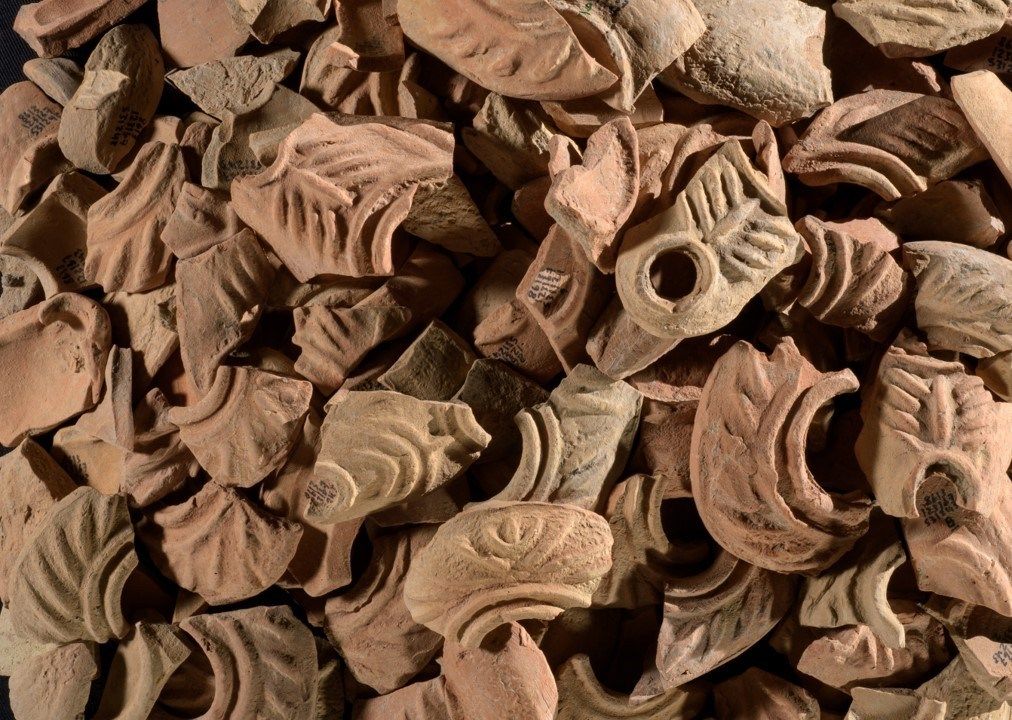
[380,448]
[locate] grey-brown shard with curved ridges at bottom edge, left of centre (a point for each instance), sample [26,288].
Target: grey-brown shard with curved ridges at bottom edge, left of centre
[264,660]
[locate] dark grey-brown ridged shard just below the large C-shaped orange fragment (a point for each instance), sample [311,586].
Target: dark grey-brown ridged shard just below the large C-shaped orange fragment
[717,615]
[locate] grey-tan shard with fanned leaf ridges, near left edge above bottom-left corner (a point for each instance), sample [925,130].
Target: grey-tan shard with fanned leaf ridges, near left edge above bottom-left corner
[69,578]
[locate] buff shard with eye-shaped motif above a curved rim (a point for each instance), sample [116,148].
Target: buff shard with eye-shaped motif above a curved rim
[501,563]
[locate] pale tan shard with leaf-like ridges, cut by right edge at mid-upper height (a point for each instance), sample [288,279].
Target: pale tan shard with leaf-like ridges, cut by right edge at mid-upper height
[963,297]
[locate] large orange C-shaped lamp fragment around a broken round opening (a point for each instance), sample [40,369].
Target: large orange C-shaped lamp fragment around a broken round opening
[751,483]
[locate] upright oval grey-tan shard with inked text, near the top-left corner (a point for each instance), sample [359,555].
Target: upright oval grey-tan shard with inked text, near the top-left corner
[118,98]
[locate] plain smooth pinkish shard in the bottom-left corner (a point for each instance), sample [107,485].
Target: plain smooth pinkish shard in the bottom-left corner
[54,685]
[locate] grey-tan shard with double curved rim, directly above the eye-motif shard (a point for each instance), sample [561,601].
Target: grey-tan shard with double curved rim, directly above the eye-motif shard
[576,445]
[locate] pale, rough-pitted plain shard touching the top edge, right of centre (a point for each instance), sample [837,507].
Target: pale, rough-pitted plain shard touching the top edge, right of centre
[764,58]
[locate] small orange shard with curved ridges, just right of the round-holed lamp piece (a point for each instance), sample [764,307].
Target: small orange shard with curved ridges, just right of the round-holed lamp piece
[853,283]
